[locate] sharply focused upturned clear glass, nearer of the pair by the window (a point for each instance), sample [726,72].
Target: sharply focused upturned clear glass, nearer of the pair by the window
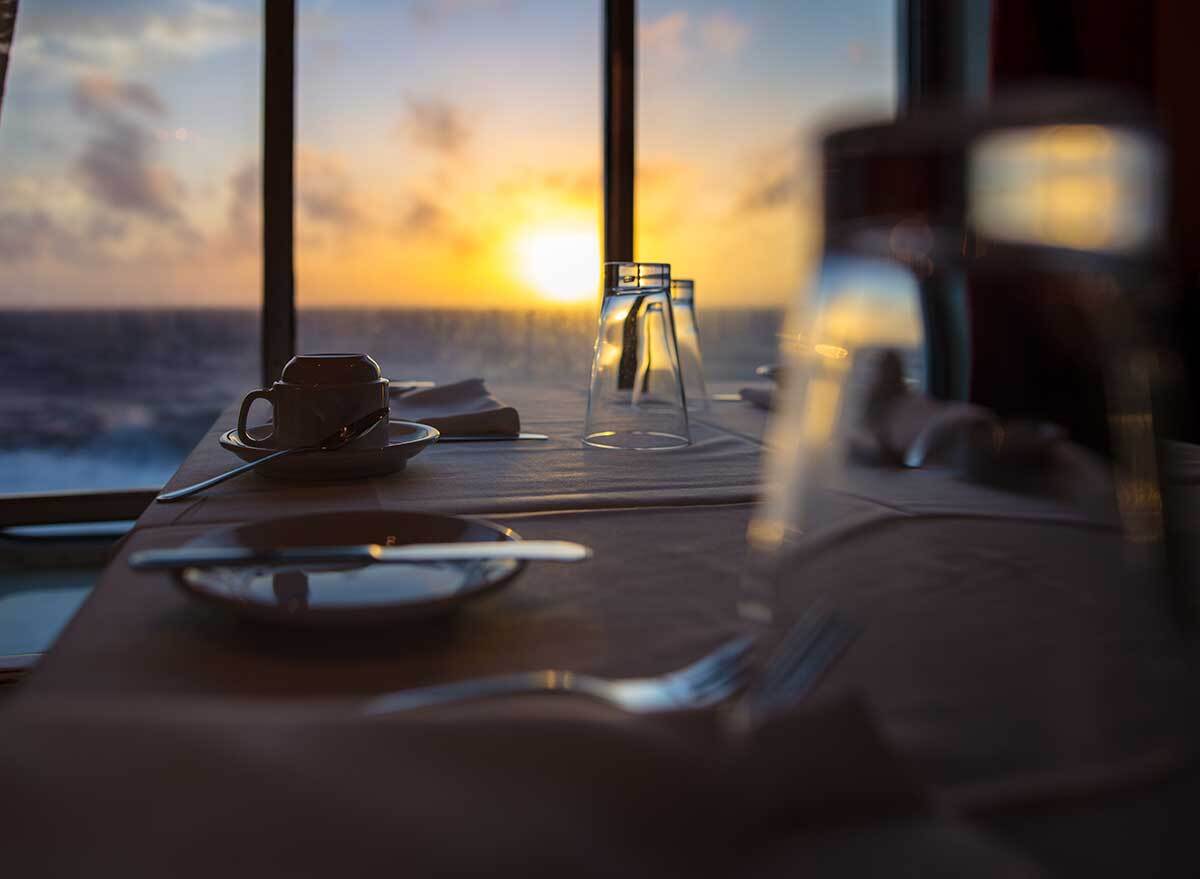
[637,399]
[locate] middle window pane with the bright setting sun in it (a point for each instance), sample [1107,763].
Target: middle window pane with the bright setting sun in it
[449,186]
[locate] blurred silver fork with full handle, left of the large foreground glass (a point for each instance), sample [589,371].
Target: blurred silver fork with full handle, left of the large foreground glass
[705,683]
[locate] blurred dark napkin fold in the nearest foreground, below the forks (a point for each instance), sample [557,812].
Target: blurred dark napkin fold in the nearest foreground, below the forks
[513,787]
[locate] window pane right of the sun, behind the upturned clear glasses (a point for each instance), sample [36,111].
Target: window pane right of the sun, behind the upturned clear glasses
[730,100]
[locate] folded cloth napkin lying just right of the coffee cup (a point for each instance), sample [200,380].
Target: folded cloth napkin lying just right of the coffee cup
[461,409]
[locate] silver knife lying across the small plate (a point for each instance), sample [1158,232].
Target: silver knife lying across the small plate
[367,554]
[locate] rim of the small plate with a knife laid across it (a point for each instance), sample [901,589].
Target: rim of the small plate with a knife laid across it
[358,618]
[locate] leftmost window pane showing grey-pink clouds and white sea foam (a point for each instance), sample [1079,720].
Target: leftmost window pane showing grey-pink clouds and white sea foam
[130,262]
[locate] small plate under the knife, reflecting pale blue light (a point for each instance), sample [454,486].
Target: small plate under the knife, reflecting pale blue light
[350,595]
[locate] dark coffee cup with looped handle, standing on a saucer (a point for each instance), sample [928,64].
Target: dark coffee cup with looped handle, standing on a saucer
[316,396]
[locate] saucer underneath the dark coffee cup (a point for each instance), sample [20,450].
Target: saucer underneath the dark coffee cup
[406,439]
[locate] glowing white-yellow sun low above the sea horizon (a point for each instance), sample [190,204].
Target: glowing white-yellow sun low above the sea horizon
[561,264]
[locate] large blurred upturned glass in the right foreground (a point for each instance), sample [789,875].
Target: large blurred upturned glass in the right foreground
[982,315]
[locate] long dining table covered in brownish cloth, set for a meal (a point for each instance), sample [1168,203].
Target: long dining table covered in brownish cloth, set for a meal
[1000,713]
